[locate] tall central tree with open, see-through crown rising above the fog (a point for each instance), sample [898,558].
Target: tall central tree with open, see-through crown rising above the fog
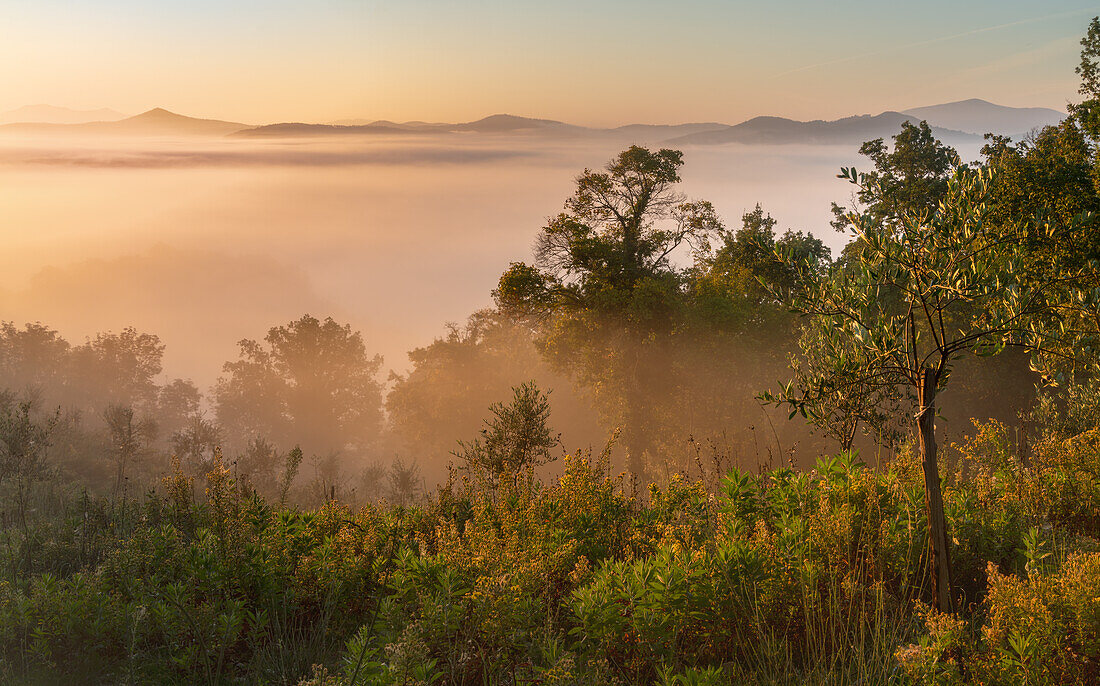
[606,289]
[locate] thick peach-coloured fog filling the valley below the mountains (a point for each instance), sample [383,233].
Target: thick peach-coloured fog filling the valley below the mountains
[206,241]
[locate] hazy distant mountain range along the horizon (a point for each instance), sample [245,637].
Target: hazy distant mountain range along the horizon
[955,123]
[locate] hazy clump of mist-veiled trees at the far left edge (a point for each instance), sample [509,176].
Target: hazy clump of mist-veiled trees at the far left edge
[102,401]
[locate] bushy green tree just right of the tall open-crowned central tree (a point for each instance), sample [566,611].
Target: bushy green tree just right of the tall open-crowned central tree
[735,339]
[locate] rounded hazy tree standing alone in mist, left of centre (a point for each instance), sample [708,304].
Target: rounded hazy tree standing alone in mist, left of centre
[311,382]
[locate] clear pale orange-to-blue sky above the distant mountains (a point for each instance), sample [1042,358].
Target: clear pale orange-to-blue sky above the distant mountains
[588,62]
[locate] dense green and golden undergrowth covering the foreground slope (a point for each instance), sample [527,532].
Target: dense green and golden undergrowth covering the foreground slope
[782,578]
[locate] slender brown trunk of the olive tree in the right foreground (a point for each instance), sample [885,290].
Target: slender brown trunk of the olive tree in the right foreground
[941,565]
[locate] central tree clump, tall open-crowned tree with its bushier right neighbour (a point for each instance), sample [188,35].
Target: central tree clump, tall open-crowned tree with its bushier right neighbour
[647,302]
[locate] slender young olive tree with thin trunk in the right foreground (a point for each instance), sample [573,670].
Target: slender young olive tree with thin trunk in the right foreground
[928,290]
